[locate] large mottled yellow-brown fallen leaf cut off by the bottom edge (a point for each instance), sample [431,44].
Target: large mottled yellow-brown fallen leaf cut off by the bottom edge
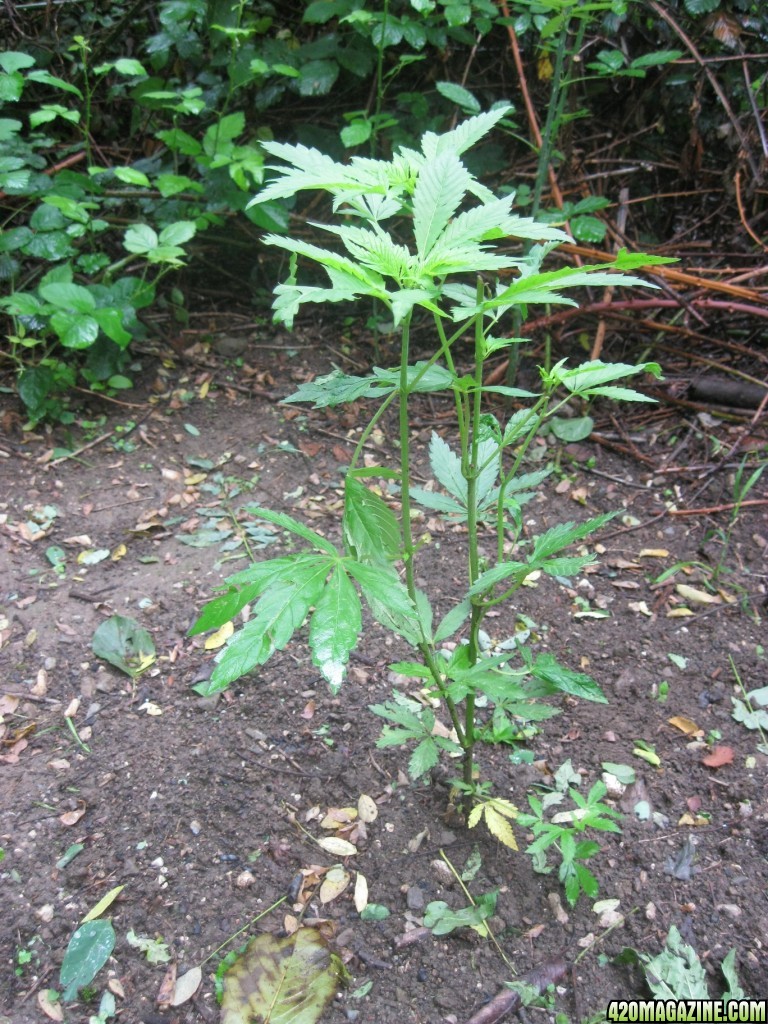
[291,979]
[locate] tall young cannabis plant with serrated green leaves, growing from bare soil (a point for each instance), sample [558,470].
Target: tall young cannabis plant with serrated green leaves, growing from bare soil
[447,224]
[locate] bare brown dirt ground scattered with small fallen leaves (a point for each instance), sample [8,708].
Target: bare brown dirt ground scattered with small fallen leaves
[205,810]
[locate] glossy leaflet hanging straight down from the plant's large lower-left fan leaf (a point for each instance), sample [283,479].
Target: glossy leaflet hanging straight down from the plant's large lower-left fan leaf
[335,627]
